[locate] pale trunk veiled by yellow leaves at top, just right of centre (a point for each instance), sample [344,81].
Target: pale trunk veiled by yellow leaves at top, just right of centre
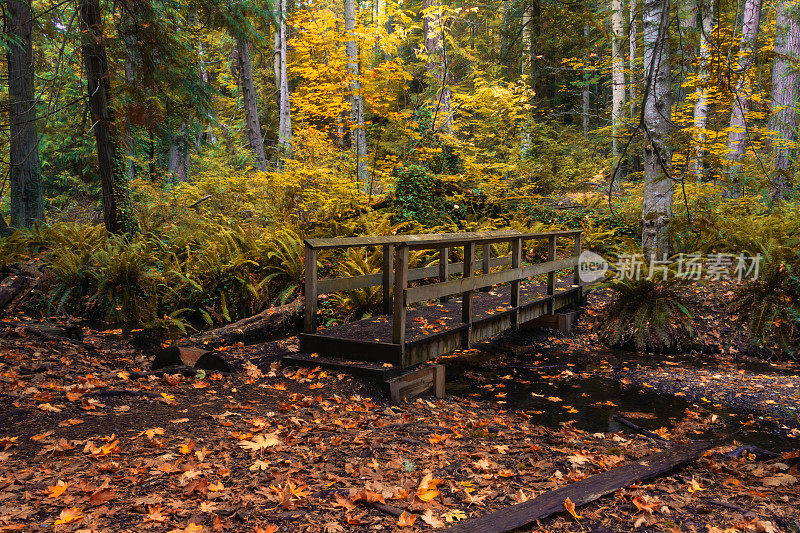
[433,30]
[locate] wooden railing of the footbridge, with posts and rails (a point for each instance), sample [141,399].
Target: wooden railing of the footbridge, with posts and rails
[396,273]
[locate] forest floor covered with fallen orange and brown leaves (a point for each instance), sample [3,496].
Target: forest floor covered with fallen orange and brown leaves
[93,442]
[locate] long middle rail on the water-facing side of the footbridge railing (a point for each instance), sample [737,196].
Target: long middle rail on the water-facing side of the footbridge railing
[458,286]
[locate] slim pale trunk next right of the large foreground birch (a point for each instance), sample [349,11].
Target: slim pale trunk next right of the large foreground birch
[701,101]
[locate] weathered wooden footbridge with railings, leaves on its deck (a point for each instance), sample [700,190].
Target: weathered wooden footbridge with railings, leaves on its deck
[436,309]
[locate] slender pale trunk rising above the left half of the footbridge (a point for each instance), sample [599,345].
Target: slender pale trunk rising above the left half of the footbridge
[357,133]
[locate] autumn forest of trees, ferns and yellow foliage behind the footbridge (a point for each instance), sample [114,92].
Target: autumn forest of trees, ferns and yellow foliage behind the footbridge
[164,160]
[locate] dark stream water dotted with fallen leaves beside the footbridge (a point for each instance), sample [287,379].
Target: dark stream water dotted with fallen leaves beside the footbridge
[587,395]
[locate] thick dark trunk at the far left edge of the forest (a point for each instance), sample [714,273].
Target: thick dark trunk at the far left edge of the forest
[25,170]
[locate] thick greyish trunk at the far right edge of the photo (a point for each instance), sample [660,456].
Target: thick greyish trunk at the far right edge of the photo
[785,92]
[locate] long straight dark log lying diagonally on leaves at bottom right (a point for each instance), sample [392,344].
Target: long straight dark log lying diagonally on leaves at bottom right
[584,491]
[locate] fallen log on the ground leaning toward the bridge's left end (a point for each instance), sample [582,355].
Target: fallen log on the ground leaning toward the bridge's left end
[269,324]
